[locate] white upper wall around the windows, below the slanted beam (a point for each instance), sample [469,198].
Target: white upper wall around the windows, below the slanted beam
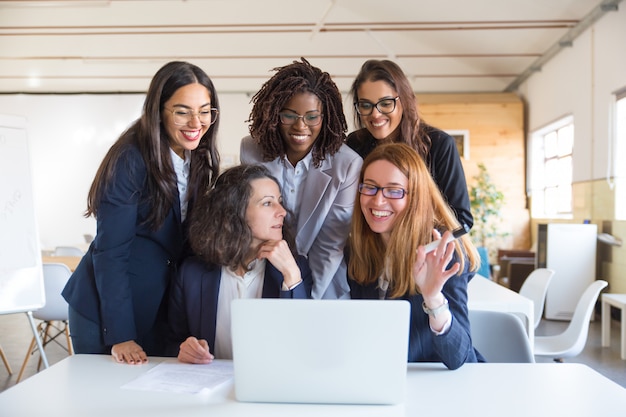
[581,81]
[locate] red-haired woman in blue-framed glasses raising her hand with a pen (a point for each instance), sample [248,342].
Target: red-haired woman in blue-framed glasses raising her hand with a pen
[399,209]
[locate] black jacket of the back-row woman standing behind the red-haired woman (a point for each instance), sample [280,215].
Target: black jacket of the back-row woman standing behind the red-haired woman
[443,162]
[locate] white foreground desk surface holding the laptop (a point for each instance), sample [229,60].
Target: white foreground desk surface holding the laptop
[89,385]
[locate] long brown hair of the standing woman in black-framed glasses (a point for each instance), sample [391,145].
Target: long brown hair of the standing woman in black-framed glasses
[412,129]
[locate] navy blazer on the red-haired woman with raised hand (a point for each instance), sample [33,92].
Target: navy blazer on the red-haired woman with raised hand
[453,348]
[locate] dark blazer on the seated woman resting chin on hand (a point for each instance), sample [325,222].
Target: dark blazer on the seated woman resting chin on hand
[194,297]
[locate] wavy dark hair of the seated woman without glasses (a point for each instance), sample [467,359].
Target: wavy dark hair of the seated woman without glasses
[218,231]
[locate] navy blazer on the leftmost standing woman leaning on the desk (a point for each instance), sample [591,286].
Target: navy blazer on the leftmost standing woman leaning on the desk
[121,281]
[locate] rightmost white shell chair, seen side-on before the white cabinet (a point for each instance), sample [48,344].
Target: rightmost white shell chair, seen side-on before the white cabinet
[572,341]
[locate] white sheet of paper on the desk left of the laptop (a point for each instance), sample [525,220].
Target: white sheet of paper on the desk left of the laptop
[182,377]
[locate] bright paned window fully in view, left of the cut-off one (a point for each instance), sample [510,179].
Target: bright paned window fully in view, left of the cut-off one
[551,169]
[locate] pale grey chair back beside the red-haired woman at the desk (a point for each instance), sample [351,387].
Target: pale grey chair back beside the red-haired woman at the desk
[500,337]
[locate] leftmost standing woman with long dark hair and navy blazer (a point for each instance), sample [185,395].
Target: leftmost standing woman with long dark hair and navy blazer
[141,196]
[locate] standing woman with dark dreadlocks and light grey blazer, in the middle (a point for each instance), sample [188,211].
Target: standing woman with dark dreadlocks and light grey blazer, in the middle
[297,131]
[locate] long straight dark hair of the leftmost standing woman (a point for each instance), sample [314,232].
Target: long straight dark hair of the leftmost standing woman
[149,135]
